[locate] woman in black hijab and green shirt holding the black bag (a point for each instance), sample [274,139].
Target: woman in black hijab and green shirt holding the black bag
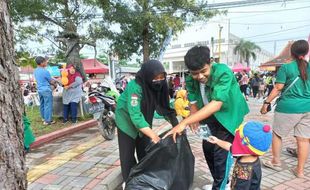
[135,111]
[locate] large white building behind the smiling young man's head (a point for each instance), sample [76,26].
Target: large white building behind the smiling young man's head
[208,34]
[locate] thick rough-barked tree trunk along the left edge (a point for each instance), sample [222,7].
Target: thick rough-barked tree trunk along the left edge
[12,155]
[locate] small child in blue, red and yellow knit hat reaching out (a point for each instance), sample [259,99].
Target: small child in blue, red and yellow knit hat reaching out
[252,140]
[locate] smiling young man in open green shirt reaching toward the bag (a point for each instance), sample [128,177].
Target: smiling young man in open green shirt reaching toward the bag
[216,100]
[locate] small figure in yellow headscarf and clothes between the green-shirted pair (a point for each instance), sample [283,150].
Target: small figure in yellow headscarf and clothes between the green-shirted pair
[181,104]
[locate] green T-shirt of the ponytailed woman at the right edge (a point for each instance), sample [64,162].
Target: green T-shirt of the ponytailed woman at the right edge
[297,98]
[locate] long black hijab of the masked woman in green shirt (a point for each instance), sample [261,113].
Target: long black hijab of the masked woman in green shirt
[154,99]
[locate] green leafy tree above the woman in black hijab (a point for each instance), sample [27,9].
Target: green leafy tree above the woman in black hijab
[144,24]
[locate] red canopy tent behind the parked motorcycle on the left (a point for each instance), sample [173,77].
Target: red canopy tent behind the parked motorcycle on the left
[94,66]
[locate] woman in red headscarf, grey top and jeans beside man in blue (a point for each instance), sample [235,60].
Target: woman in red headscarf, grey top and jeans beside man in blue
[72,94]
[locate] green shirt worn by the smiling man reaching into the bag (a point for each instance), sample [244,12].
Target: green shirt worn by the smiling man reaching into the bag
[221,86]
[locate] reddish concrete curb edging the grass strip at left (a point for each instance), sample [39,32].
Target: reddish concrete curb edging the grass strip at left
[63,132]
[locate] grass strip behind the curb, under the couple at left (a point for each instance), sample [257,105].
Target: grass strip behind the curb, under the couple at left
[37,126]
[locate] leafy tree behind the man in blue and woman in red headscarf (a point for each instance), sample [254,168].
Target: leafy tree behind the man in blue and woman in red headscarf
[63,21]
